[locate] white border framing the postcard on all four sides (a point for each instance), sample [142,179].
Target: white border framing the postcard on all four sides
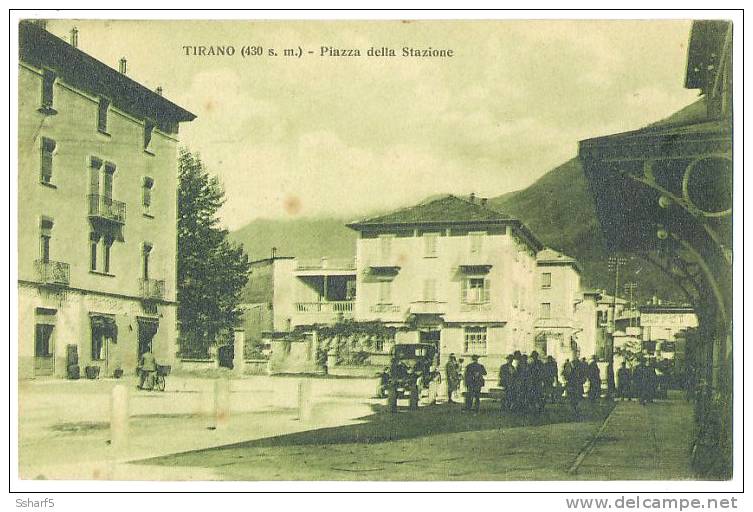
[208,501]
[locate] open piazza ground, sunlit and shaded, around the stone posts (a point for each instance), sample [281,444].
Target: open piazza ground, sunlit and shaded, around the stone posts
[64,433]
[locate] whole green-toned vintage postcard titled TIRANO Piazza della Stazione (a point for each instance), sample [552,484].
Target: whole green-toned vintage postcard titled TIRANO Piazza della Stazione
[374,250]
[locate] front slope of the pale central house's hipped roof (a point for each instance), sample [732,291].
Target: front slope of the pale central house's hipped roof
[446,209]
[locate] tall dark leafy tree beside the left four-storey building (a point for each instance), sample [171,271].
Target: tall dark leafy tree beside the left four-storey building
[212,271]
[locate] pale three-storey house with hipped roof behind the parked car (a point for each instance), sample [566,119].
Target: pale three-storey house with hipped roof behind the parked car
[451,272]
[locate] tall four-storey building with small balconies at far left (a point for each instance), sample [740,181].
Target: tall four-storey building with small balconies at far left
[97,187]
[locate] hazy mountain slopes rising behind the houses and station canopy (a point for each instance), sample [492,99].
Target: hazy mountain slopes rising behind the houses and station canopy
[558,208]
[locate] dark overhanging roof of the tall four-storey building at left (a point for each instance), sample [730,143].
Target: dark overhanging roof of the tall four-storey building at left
[45,50]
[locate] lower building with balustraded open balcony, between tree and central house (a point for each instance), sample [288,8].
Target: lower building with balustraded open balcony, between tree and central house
[285,294]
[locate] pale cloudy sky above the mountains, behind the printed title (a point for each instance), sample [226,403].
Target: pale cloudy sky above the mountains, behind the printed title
[347,136]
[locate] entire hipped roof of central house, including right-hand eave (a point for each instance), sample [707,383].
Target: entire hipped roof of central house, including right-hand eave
[448,210]
